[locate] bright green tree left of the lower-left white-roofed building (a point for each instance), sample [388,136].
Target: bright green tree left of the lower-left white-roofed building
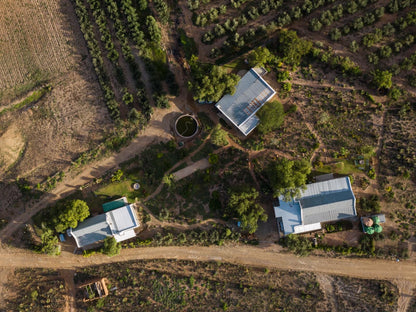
[73,212]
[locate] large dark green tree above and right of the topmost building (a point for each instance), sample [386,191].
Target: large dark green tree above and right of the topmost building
[291,48]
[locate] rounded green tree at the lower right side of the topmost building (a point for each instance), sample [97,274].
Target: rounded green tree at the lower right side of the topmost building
[271,117]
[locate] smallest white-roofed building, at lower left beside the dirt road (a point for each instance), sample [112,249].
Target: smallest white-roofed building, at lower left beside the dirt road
[117,222]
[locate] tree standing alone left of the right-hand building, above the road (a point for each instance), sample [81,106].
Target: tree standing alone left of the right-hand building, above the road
[243,205]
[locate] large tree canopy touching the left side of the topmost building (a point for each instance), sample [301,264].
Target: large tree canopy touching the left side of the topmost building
[211,82]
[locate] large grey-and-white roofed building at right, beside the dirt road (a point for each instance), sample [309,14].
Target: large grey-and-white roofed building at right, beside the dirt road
[324,201]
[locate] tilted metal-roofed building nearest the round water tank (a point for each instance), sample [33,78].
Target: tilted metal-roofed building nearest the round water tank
[240,108]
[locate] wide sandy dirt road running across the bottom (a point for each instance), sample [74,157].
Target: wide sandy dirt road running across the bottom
[249,255]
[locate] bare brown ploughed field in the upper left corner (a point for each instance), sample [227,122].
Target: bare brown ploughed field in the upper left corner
[41,44]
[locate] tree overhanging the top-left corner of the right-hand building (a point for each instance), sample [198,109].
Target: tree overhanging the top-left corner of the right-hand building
[288,177]
